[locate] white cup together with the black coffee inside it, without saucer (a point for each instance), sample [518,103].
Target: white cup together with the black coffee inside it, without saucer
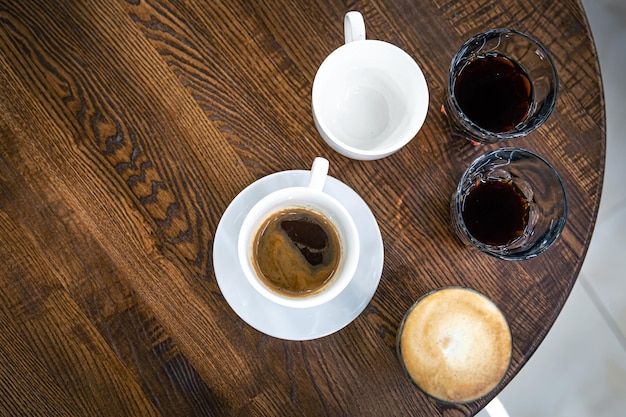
[299,246]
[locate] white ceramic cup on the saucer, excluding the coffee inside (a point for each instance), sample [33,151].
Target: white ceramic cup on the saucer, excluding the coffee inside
[310,197]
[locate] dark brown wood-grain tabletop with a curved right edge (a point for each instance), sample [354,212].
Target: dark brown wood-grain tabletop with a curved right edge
[127,128]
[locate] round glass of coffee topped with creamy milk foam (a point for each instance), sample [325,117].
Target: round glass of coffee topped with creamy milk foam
[455,344]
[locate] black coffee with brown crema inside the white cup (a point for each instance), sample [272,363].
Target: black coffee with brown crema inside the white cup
[296,252]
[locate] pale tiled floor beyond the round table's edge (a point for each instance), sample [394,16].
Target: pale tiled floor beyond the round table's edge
[580,369]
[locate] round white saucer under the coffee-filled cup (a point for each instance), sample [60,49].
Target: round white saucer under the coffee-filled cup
[296,323]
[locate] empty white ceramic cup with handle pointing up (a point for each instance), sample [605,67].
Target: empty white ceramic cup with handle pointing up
[369,97]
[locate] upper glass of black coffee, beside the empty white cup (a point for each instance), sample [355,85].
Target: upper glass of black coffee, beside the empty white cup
[502,84]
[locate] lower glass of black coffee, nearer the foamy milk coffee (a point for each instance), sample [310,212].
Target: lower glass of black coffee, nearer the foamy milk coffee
[510,203]
